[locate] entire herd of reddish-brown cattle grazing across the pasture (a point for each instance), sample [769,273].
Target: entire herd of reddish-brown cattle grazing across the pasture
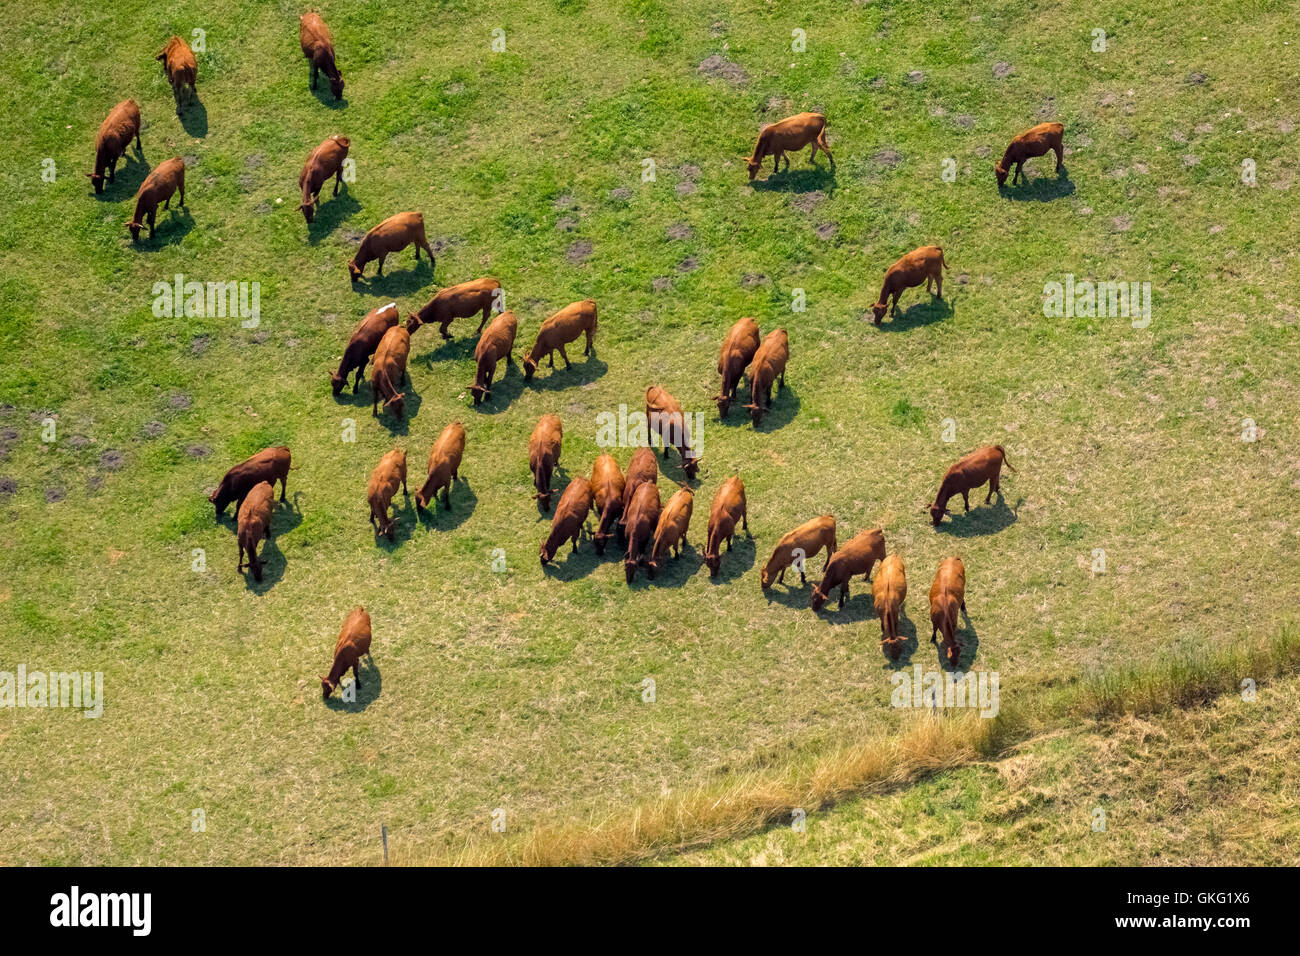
[626,505]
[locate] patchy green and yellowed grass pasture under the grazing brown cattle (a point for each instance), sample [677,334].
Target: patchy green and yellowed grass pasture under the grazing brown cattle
[523,690]
